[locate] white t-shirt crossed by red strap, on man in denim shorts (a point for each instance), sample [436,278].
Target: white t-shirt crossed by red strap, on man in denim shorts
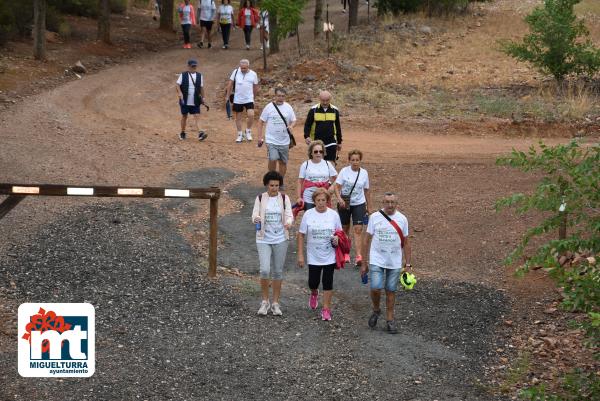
[385,246]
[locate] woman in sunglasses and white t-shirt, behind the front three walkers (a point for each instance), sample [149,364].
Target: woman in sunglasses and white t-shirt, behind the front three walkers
[314,173]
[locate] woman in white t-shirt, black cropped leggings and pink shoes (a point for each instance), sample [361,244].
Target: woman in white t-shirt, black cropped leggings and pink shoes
[319,225]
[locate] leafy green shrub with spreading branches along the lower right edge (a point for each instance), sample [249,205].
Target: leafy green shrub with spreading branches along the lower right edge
[569,191]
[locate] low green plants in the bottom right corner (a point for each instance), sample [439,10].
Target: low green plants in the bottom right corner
[575,386]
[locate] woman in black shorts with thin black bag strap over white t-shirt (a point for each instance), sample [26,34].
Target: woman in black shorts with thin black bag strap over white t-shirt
[352,191]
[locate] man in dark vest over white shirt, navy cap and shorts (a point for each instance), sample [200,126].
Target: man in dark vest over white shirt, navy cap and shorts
[190,89]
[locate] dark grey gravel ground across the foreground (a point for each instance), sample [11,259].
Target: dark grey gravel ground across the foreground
[164,331]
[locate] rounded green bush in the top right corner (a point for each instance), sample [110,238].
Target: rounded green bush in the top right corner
[558,43]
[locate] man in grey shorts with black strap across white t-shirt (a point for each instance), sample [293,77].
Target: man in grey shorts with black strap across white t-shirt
[278,131]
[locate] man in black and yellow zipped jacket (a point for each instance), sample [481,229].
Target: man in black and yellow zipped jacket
[323,122]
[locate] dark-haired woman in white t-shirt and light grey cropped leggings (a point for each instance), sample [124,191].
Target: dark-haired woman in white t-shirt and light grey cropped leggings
[272,215]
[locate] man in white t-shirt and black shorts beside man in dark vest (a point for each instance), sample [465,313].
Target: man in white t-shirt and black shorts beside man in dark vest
[243,84]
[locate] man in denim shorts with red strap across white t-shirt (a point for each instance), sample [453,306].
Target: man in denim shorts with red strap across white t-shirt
[387,248]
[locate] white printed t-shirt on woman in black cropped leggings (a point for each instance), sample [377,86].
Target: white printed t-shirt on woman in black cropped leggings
[319,228]
